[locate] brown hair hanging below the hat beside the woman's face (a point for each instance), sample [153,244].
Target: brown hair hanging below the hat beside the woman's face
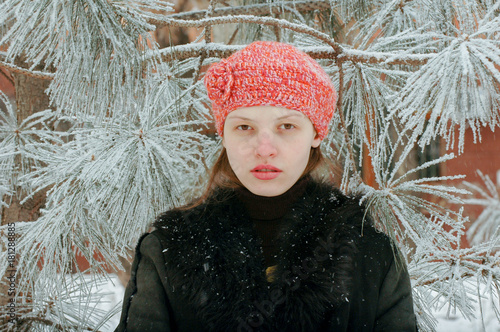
[222,175]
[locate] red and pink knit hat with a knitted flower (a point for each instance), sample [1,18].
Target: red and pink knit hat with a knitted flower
[275,74]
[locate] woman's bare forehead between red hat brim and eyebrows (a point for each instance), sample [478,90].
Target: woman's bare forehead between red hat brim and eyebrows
[264,112]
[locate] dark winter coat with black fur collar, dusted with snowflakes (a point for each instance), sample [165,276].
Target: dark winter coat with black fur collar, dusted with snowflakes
[203,270]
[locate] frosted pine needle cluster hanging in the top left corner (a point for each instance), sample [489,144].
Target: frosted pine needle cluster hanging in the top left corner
[91,44]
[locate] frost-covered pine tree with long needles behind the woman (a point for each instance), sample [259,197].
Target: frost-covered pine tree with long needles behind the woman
[121,134]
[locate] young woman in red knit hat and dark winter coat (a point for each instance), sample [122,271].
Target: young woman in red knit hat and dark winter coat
[268,248]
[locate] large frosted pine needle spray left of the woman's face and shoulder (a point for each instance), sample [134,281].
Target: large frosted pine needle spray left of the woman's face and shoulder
[105,186]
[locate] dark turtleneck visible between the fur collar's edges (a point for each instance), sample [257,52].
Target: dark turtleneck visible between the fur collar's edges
[267,214]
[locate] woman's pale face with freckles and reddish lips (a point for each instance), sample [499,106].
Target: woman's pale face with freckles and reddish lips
[268,147]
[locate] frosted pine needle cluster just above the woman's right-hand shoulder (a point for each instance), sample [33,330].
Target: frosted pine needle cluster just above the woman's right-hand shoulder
[401,202]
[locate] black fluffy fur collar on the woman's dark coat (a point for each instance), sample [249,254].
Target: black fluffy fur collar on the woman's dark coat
[214,259]
